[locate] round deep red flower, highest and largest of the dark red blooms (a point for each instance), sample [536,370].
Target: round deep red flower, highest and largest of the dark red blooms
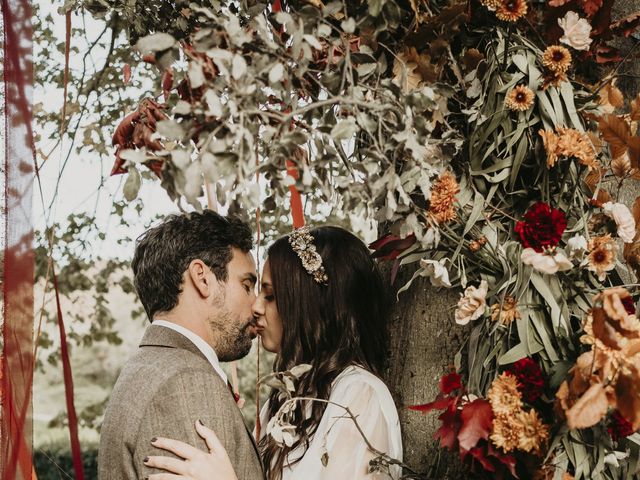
[542,227]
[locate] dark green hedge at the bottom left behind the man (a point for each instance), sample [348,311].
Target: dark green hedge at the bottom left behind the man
[51,462]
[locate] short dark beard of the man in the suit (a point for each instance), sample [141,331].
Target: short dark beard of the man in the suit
[234,340]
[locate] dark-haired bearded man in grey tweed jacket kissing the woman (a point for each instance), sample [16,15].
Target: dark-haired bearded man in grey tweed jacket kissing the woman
[195,277]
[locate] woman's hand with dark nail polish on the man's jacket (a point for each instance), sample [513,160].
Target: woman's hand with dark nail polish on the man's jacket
[196,464]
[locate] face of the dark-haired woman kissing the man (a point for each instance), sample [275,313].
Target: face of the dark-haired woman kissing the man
[266,314]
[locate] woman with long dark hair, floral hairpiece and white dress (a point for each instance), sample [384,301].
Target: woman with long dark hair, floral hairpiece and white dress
[322,302]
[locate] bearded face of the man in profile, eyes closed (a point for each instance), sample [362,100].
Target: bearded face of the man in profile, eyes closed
[232,322]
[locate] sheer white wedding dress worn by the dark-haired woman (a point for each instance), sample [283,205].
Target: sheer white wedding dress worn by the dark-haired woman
[370,401]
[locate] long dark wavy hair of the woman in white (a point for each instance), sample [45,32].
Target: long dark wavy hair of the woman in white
[327,326]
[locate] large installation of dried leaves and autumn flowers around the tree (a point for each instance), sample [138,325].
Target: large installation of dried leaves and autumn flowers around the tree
[490,140]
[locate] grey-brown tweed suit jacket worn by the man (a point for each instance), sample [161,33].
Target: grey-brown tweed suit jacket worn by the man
[162,390]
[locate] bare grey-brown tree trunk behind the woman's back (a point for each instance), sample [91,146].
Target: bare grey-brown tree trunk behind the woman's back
[423,342]
